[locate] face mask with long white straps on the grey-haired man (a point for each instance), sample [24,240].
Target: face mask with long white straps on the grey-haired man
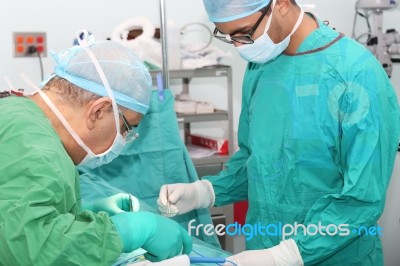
[91,160]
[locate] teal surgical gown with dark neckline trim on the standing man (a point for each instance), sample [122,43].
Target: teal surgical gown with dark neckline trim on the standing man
[318,135]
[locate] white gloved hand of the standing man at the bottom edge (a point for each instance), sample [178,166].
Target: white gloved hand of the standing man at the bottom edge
[284,254]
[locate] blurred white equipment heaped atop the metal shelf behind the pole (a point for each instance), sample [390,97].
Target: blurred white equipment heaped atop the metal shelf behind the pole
[188,46]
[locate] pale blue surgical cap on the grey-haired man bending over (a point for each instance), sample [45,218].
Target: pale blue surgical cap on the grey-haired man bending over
[128,77]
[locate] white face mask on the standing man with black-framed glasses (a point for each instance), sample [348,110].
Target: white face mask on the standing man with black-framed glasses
[264,49]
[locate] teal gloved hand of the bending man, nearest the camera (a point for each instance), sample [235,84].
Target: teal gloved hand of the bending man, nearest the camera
[161,237]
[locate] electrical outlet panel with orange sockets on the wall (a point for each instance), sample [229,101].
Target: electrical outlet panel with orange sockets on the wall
[27,43]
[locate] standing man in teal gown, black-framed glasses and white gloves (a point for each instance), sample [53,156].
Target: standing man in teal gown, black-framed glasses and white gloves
[318,135]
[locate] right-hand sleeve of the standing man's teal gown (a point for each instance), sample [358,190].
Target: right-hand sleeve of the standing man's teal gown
[368,121]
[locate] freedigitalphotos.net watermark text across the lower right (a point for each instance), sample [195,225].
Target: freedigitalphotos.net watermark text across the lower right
[282,230]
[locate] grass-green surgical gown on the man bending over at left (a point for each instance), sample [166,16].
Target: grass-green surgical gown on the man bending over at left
[40,218]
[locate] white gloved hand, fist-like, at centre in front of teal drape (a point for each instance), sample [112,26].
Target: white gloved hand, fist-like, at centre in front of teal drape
[181,198]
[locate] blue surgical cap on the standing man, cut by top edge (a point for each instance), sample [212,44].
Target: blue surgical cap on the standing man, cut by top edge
[228,10]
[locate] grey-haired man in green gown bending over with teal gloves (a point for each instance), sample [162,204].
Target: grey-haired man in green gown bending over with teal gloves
[84,115]
